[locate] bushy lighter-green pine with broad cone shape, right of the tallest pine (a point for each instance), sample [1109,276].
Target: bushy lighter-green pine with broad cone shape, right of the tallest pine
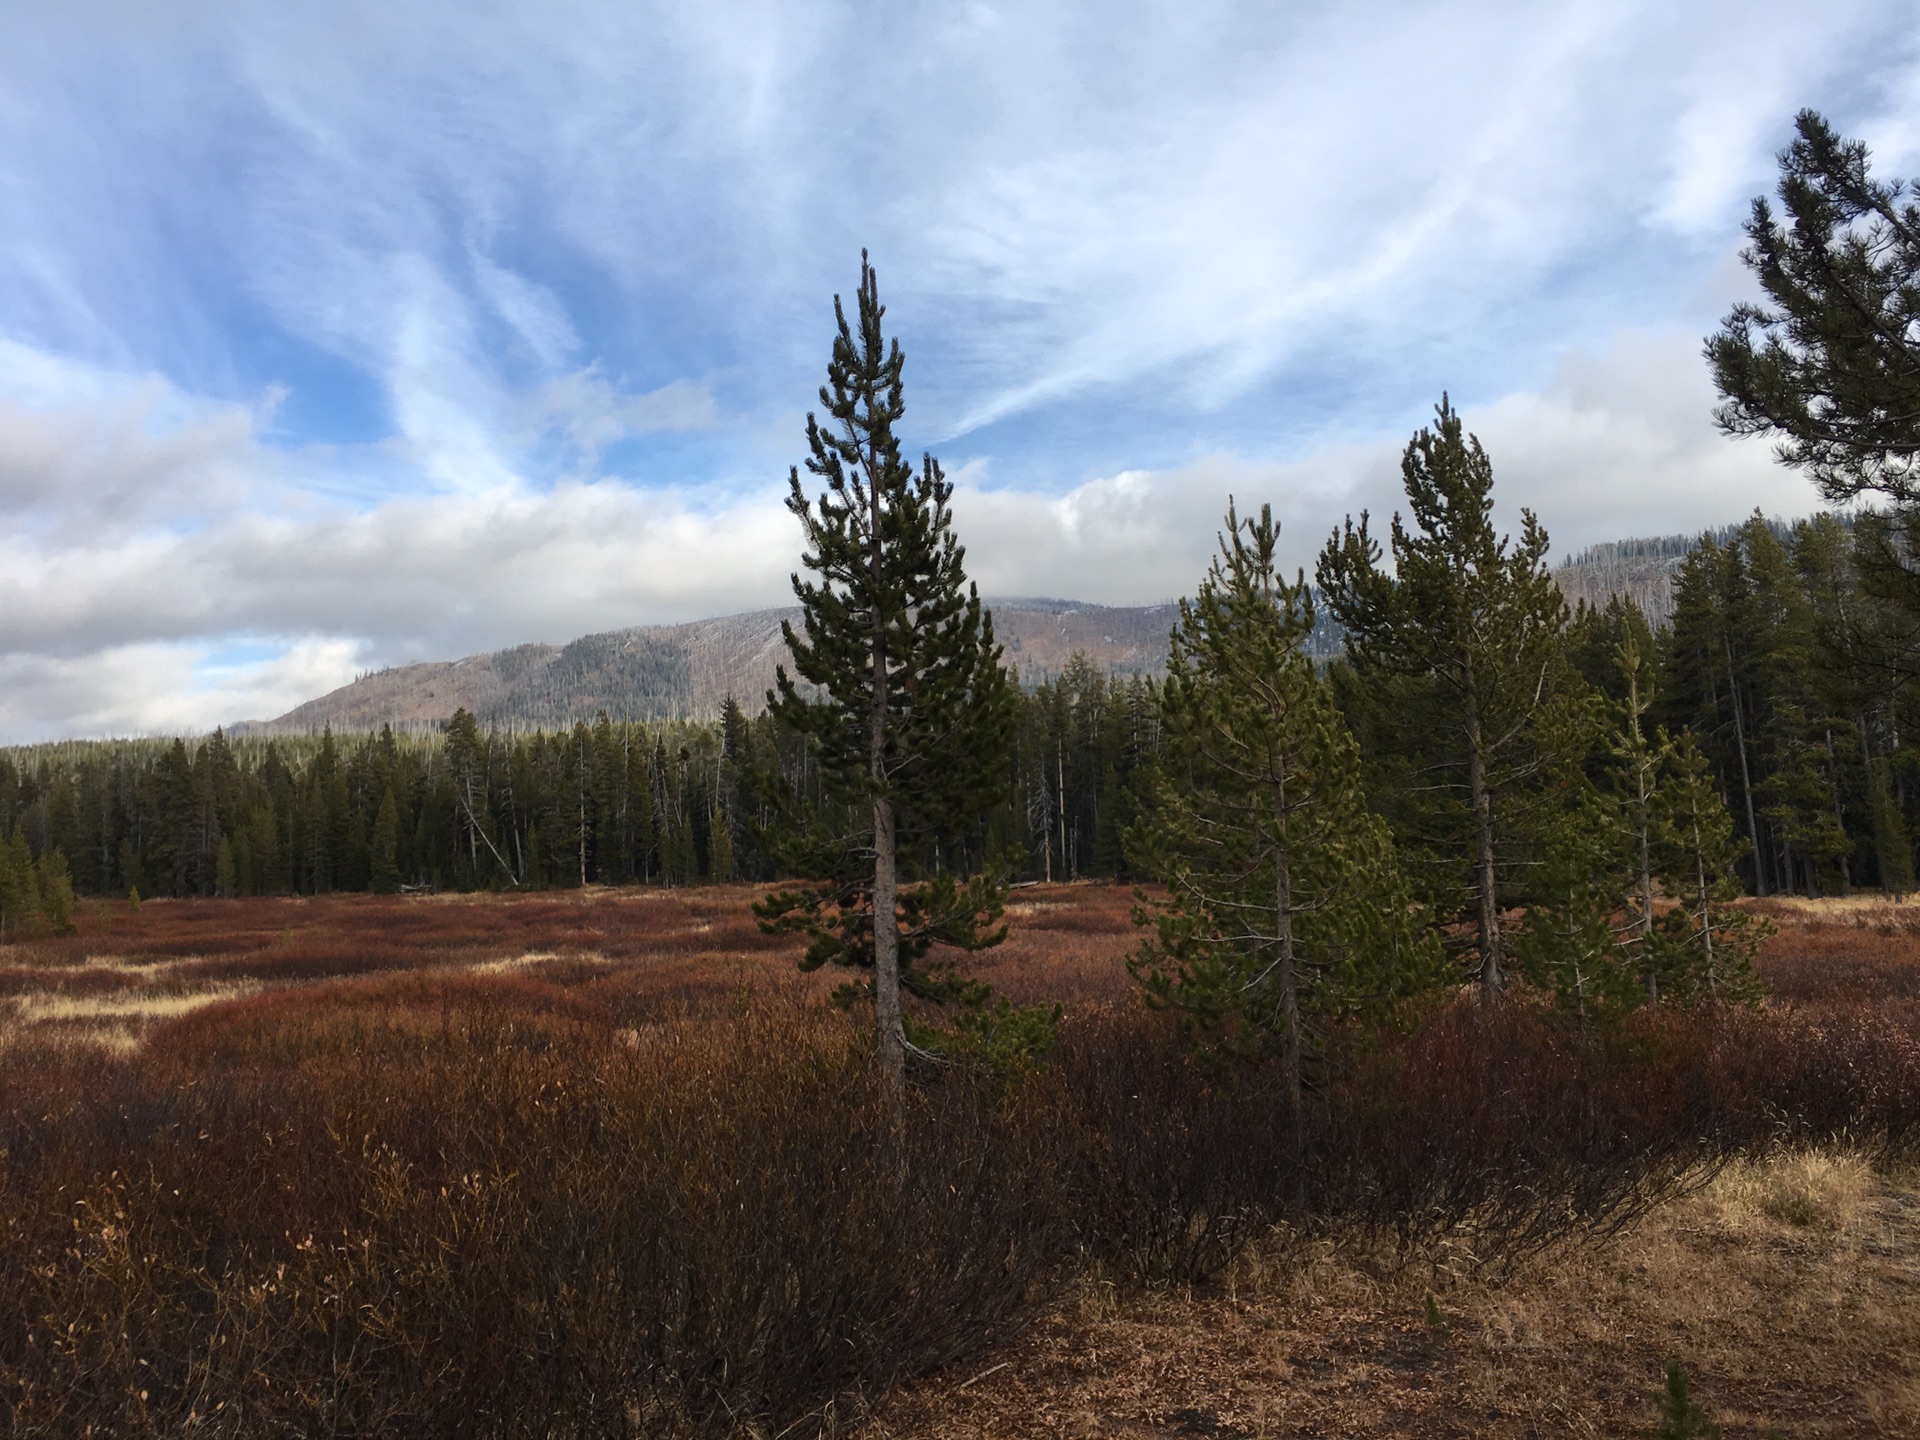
[1284,894]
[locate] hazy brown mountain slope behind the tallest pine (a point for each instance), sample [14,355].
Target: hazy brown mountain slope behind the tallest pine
[673,673]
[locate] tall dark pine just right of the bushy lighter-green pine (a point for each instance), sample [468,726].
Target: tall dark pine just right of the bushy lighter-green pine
[1474,615]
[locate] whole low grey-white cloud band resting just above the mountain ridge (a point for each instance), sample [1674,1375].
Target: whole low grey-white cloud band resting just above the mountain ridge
[114,631]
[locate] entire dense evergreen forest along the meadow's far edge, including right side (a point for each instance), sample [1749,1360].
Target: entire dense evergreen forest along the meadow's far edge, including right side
[1781,663]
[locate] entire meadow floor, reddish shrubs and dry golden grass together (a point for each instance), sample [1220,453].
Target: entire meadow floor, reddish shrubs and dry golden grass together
[608,1164]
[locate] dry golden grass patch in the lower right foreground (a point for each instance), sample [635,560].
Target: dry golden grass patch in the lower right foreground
[1788,1289]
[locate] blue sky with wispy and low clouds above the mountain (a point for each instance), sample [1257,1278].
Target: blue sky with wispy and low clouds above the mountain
[352,335]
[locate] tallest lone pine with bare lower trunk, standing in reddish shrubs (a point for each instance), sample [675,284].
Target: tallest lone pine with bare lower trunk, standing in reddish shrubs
[898,692]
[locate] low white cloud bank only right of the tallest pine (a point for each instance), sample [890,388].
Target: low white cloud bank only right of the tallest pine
[1618,444]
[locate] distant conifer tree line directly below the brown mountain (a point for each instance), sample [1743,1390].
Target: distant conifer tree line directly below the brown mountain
[606,804]
